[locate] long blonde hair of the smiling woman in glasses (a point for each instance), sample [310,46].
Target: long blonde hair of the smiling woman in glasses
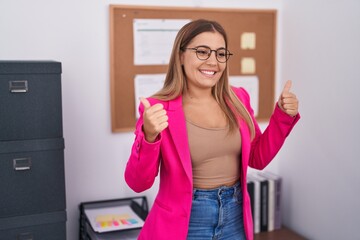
[175,82]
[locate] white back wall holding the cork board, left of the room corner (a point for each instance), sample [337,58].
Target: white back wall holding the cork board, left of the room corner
[77,34]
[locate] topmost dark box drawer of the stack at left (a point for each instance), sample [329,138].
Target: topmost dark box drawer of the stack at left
[30,97]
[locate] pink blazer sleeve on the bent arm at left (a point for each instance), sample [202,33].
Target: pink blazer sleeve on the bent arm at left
[143,164]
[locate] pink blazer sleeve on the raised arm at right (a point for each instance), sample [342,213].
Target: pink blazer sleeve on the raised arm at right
[267,144]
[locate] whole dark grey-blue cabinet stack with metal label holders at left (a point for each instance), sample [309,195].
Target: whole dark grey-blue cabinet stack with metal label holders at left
[32,176]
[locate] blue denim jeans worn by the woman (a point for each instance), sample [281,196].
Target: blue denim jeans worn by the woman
[217,214]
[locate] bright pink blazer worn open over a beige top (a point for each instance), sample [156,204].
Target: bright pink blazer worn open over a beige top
[169,156]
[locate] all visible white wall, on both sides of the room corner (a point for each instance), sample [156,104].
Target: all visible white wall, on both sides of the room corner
[321,150]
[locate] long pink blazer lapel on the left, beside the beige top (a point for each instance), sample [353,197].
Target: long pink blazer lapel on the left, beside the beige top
[177,128]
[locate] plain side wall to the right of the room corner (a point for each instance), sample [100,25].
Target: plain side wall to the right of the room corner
[320,162]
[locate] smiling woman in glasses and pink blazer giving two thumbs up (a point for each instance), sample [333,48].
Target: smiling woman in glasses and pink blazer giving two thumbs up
[200,134]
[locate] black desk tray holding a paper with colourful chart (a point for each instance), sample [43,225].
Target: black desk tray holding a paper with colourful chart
[126,214]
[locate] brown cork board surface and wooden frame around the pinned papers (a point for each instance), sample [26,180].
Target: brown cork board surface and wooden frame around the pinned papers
[235,22]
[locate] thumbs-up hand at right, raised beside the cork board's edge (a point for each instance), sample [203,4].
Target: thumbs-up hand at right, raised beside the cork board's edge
[288,102]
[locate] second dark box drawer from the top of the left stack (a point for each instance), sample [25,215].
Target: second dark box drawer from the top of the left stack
[32,177]
